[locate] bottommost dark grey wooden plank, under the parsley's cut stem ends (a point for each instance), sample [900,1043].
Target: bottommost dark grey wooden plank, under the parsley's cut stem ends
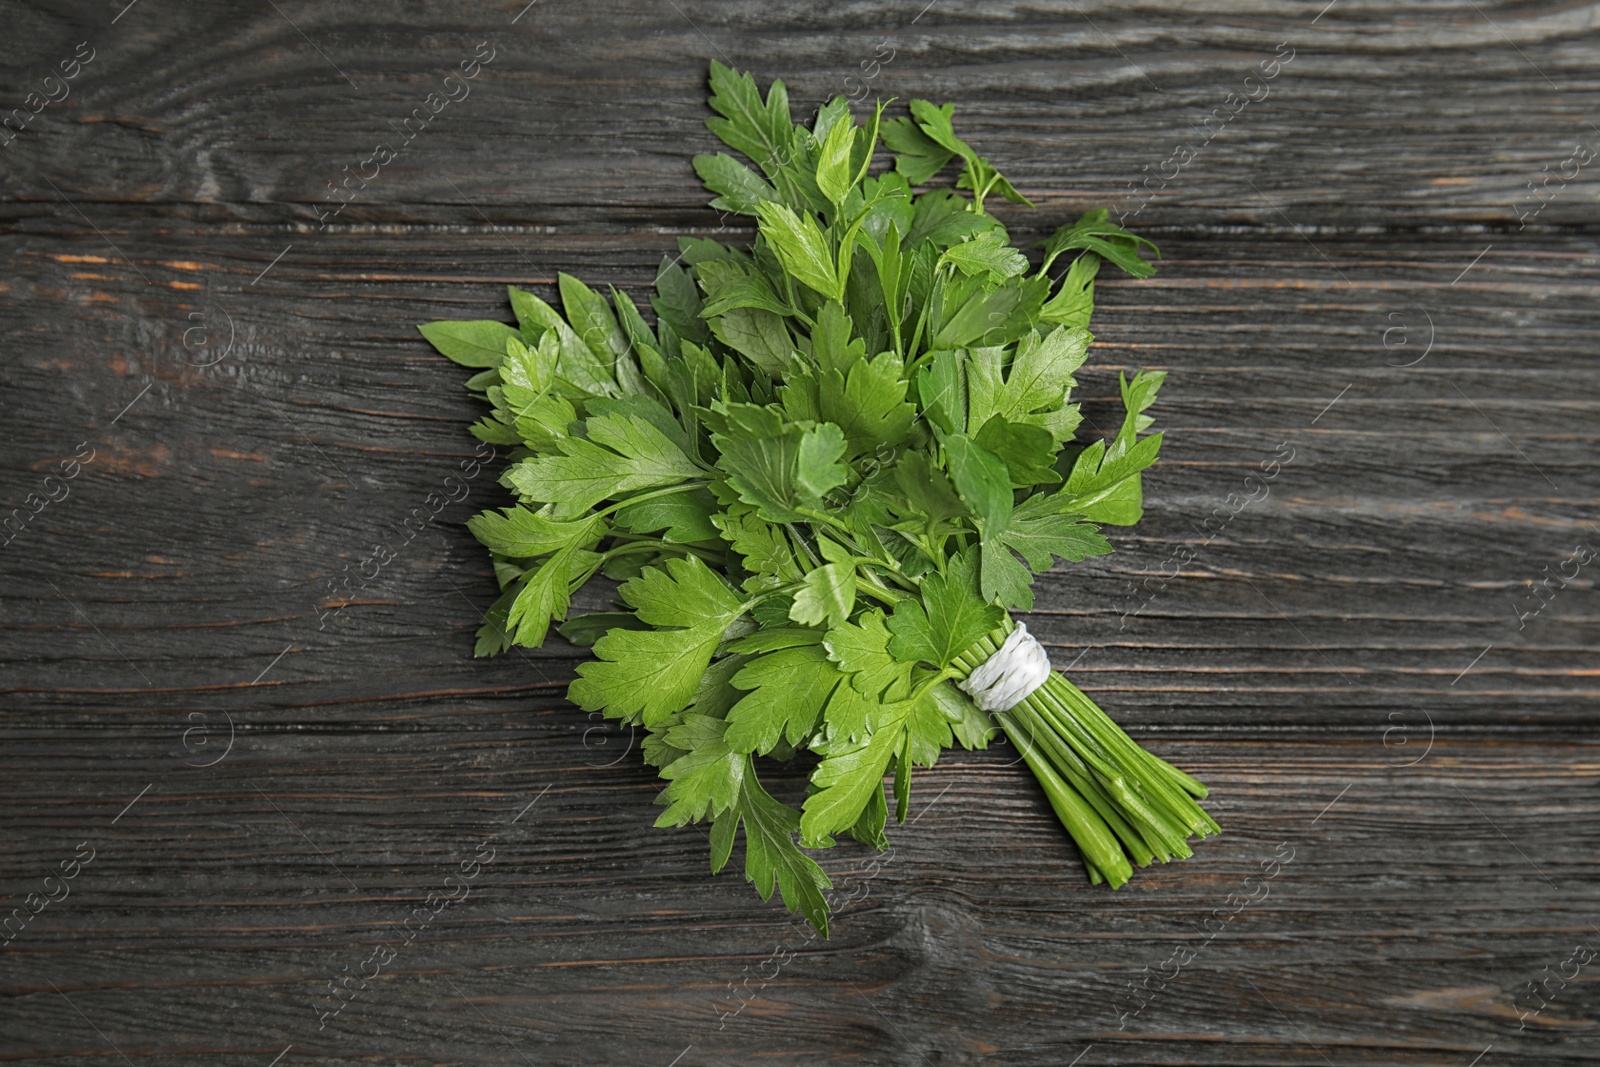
[1398,924]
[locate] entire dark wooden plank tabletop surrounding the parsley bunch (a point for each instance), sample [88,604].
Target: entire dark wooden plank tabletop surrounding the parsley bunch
[1383,266]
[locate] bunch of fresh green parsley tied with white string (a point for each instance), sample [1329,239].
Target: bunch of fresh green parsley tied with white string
[823,478]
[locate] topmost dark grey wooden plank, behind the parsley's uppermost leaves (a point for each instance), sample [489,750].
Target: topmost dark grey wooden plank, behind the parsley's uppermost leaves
[586,111]
